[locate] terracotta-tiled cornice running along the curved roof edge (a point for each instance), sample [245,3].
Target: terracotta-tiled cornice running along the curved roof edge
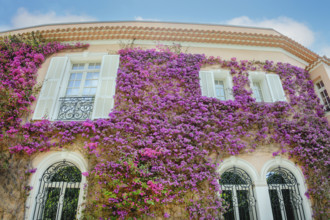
[176,32]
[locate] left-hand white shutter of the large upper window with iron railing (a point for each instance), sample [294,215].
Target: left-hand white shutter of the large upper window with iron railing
[50,89]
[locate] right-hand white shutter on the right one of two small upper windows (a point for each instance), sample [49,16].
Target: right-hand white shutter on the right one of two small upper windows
[276,88]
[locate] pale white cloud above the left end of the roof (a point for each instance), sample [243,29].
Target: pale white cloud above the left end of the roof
[24,18]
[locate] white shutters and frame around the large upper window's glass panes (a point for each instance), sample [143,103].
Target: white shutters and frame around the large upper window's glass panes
[48,103]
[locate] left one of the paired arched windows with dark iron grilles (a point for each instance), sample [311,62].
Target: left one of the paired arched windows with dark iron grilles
[237,192]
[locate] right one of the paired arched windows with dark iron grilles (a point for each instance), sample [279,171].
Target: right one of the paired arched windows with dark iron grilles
[284,195]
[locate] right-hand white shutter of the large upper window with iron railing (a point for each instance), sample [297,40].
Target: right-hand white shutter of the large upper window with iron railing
[104,98]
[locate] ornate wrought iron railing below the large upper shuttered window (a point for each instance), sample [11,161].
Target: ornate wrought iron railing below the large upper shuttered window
[75,108]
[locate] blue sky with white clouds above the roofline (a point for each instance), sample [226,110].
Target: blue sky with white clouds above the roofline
[306,21]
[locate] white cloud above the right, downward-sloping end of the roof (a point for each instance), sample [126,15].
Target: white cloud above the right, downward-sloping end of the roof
[293,29]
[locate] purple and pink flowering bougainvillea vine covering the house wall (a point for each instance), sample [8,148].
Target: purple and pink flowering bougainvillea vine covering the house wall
[152,156]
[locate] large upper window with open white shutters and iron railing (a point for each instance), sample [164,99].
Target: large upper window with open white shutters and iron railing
[78,87]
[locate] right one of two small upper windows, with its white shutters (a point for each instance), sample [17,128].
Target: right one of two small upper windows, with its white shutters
[266,87]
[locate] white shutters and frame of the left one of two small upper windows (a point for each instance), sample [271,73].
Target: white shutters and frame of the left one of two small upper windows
[207,83]
